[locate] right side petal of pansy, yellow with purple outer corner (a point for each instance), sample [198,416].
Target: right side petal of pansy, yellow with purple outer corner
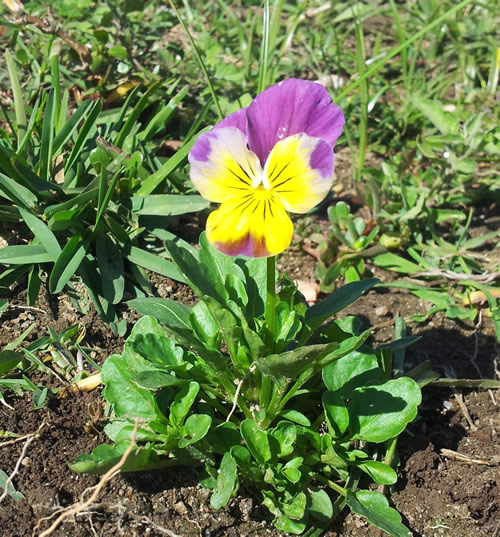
[299,171]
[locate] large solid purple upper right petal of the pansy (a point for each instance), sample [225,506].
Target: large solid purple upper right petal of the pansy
[291,107]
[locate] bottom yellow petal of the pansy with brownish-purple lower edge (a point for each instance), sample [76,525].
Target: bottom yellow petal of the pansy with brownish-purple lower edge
[254,224]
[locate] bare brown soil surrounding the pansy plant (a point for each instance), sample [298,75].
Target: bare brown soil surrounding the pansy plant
[448,483]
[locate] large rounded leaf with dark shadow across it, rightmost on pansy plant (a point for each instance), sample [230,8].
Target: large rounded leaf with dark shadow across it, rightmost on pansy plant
[382,411]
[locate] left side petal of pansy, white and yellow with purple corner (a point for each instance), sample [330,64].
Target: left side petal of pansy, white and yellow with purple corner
[222,166]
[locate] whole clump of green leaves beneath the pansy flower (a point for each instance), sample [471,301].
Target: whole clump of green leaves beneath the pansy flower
[300,416]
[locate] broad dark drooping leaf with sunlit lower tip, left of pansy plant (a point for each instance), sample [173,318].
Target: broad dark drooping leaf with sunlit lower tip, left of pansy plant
[110,262]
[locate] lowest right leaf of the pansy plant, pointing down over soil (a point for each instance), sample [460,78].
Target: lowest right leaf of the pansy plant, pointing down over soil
[375,508]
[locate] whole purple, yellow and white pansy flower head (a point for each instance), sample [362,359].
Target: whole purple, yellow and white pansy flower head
[262,161]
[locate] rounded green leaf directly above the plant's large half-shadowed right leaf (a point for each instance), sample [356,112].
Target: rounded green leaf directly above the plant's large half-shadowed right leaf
[358,368]
